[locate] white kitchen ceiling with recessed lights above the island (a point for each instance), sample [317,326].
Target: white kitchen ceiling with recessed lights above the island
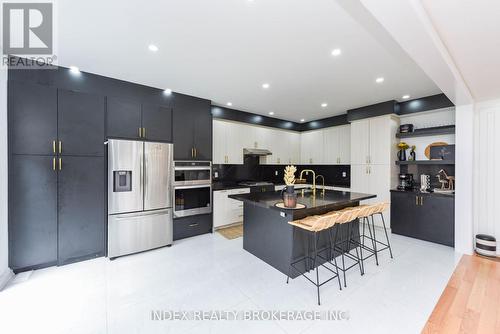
[224,50]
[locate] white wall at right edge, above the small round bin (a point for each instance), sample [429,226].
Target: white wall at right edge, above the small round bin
[487,167]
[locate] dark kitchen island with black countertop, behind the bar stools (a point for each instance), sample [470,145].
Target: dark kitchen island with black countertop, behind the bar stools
[266,232]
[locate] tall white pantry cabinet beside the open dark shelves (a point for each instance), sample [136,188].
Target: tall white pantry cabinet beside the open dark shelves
[373,155]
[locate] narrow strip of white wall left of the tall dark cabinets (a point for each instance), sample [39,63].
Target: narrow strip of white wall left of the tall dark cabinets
[5,272]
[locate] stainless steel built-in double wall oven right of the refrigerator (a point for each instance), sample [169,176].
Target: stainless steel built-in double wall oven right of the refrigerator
[192,188]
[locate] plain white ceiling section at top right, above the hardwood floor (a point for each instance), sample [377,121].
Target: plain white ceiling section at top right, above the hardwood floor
[470,29]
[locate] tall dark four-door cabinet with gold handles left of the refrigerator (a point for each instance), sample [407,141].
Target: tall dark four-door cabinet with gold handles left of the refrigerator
[56,175]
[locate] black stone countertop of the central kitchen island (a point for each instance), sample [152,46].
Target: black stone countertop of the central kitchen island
[332,198]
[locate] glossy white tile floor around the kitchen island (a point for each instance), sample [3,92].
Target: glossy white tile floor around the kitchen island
[211,273]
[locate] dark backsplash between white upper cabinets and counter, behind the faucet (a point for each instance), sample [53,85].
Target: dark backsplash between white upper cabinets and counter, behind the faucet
[251,170]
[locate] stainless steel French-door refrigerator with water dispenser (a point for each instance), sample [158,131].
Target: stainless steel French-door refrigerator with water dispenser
[140,189]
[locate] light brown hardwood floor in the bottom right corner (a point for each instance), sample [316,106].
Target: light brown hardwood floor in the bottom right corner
[470,302]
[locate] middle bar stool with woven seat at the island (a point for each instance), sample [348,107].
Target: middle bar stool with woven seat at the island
[346,218]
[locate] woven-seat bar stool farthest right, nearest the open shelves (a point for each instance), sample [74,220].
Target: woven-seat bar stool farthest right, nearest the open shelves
[371,211]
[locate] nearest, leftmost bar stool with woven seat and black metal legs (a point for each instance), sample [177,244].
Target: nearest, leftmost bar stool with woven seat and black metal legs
[314,226]
